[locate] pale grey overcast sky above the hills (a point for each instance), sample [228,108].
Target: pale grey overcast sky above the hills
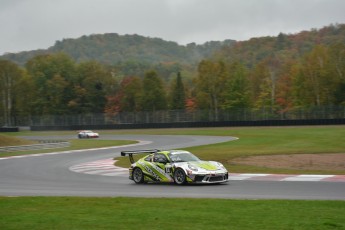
[37,24]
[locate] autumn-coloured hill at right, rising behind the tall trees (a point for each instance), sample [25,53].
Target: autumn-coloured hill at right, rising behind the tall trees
[286,46]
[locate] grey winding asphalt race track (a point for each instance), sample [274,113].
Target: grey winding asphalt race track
[50,175]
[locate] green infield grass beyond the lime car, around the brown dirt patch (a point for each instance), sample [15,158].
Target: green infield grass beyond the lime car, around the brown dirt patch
[264,141]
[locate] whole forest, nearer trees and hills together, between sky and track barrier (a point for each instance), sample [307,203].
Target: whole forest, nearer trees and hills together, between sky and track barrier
[75,76]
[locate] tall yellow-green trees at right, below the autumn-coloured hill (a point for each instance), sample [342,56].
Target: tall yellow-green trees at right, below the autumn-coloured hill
[315,79]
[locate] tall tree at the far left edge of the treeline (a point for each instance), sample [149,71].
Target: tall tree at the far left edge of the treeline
[10,75]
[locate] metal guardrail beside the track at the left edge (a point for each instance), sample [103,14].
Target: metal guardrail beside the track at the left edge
[44,145]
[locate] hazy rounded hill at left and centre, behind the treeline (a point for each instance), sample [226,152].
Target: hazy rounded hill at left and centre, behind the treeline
[113,49]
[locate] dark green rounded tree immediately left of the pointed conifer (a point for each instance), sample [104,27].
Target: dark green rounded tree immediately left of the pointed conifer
[154,96]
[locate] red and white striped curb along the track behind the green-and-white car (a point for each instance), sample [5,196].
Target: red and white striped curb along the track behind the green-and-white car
[106,168]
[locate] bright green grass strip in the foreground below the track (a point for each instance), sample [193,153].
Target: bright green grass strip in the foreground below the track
[168,213]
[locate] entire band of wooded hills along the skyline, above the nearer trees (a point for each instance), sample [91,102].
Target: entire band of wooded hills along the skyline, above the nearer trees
[129,52]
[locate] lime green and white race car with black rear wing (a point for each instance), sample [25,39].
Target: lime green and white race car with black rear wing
[178,166]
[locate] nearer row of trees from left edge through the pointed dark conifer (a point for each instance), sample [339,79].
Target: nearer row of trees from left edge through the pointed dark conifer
[56,85]
